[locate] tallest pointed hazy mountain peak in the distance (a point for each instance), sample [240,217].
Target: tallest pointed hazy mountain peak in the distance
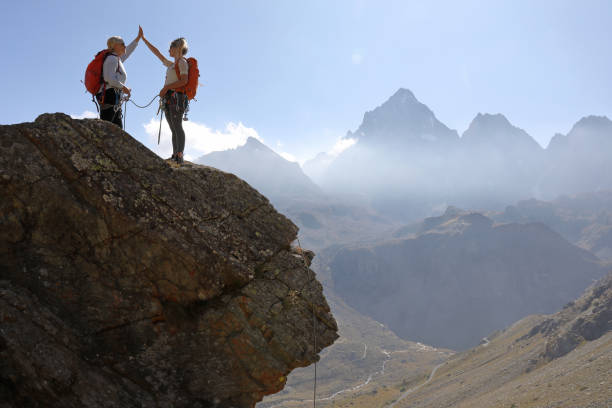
[401,154]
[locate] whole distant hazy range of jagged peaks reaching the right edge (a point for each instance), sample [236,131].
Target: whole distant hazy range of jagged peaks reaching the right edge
[407,163]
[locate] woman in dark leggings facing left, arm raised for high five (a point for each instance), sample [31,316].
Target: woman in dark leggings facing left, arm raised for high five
[174,98]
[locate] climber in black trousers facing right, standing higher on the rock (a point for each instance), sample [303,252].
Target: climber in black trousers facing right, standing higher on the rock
[114,76]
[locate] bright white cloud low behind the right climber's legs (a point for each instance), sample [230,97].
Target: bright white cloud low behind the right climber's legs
[199,138]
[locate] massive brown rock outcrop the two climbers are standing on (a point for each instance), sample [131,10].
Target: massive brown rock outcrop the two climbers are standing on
[125,282]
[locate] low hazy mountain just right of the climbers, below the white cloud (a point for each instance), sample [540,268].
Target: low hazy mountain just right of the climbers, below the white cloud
[280,180]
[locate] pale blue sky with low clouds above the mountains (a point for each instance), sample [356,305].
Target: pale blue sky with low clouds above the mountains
[299,74]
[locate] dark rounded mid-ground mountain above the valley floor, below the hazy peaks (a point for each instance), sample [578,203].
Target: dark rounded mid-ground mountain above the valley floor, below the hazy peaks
[462,277]
